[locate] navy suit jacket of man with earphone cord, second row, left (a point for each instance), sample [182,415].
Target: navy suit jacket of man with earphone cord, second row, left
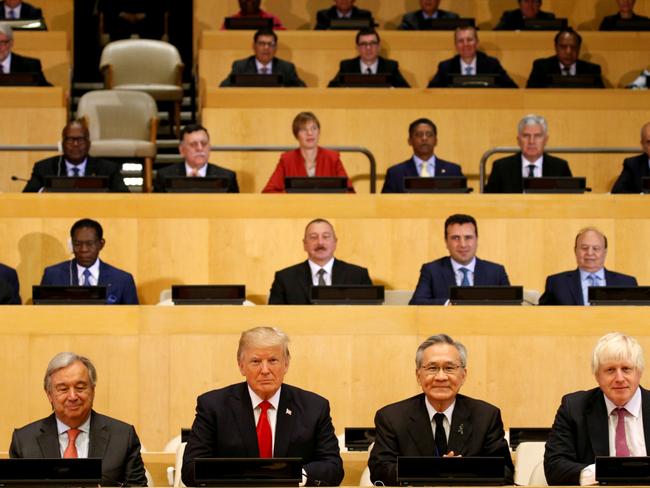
[120,285]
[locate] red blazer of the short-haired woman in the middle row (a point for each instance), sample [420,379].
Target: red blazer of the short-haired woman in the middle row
[328,163]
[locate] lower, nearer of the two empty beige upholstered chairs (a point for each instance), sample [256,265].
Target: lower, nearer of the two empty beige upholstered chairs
[121,124]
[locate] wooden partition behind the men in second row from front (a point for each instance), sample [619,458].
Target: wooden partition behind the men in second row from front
[194,239]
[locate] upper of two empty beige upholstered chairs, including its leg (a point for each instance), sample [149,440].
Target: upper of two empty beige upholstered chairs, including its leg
[153,67]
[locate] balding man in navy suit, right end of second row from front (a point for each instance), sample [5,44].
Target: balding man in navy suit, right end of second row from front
[571,287]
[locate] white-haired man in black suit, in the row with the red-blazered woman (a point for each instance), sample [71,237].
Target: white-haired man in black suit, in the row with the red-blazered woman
[508,173]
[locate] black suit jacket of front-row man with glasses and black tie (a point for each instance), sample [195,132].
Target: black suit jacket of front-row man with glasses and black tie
[404,429]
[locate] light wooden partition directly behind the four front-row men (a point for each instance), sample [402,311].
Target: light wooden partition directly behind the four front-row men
[152,362]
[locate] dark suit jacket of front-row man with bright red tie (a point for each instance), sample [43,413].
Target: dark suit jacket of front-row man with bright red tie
[224,426]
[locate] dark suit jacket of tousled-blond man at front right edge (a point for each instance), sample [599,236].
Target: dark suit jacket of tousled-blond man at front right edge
[580,433]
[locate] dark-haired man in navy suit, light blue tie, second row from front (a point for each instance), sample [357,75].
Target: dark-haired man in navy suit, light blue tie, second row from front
[460,268]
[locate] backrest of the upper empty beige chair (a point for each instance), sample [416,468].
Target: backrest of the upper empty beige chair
[141,61]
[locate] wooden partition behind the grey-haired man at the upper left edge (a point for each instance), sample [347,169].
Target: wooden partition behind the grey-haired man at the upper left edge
[53,48]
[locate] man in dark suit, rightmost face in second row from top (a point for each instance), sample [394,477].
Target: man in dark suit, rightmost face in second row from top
[565,63]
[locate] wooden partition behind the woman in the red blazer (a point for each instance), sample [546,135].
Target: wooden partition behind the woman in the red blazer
[469,123]
